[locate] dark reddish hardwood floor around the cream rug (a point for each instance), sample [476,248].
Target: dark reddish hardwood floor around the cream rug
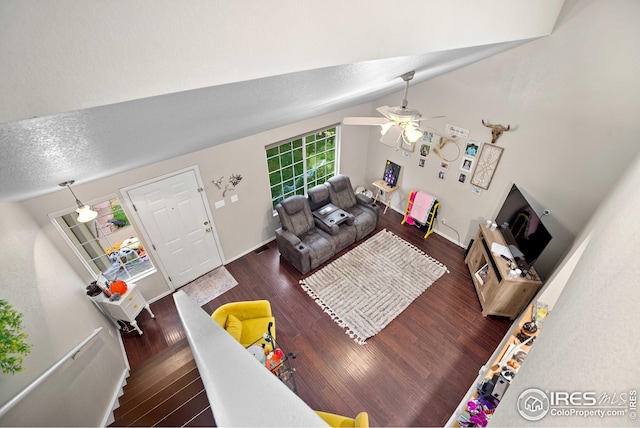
[413,373]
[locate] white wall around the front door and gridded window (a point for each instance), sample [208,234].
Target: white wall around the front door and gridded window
[241,226]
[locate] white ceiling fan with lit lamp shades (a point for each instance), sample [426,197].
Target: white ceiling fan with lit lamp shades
[400,125]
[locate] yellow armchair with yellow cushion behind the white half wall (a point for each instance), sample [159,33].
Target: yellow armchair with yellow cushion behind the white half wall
[246,321]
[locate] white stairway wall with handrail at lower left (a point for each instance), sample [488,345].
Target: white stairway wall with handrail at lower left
[57,316]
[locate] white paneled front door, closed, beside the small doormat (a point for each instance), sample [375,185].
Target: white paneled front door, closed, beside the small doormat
[173,213]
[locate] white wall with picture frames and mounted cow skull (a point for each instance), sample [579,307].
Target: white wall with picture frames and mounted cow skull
[571,101]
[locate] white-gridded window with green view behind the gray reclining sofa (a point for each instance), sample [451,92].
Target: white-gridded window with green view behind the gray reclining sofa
[299,164]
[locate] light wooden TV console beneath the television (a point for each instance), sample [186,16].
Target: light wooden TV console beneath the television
[498,294]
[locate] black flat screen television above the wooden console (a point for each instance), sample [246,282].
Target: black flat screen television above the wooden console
[522,229]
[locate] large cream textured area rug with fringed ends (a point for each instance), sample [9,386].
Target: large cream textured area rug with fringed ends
[372,284]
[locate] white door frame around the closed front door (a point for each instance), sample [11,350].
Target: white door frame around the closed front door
[142,229]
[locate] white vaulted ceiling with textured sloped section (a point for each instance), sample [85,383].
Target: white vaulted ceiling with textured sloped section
[90,89]
